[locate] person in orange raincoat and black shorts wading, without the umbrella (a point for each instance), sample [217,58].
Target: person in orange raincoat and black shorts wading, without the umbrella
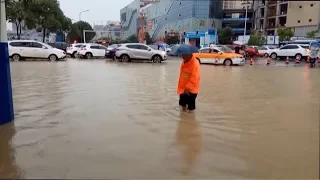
[189,82]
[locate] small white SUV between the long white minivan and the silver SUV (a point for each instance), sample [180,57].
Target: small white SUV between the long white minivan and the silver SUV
[91,50]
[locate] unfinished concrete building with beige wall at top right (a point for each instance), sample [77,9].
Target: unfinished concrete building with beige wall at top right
[301,16]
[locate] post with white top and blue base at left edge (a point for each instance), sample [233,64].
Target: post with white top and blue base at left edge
[6,102]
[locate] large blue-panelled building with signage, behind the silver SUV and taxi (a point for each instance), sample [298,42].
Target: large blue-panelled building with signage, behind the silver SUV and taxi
[174,16]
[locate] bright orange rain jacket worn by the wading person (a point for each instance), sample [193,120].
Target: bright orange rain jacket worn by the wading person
[189,76]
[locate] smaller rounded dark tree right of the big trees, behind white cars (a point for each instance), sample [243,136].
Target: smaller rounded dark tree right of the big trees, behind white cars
[76,32]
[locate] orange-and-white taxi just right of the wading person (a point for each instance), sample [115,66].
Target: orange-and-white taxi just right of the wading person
[219,55]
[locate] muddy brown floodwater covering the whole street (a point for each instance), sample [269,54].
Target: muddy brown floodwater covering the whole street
[103,119]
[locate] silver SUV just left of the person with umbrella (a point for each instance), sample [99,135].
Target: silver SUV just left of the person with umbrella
[138,51]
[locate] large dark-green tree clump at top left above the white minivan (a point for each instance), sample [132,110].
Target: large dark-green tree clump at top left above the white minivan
[45,15]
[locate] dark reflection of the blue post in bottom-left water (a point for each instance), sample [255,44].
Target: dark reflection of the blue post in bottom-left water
[8,167]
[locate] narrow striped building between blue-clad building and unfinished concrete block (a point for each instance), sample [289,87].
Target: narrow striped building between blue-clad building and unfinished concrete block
[234,16]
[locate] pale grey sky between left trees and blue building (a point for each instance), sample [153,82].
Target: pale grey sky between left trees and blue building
[99,10]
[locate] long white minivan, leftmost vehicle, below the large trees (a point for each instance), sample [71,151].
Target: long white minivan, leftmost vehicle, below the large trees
[19,49]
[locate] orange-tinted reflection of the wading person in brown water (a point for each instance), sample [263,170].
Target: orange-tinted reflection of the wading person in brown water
[189,140]
